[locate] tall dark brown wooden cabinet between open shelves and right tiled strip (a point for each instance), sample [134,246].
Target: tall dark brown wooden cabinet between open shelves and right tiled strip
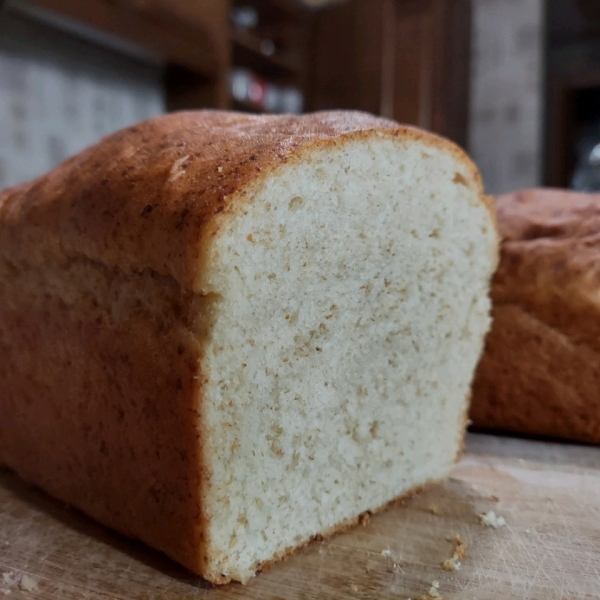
[403,59]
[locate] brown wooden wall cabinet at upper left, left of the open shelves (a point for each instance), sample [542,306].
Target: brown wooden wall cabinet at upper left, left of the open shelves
[188,36]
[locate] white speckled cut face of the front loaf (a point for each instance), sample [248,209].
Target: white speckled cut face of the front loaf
[352,304]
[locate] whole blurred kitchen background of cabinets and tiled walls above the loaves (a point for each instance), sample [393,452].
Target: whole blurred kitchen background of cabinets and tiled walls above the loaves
[515,82]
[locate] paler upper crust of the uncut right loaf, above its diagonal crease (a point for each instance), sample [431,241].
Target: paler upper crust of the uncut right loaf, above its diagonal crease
[550,261]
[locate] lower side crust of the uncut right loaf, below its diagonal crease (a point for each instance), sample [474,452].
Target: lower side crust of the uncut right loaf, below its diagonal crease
[533,380]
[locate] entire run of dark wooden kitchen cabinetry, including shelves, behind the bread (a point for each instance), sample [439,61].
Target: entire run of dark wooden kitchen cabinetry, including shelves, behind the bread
[403,59]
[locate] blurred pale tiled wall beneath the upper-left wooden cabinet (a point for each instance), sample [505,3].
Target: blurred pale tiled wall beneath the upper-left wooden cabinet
[59,95]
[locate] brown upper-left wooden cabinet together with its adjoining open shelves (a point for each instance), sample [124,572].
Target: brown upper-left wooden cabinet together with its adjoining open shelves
[197,43]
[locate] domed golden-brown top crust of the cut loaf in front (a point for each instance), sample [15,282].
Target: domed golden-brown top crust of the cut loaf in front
[148,196]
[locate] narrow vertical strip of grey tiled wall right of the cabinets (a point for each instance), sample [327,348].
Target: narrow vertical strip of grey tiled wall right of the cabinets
[505,136]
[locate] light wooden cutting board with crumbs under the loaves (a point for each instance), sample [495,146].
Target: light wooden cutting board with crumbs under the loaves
[549,495]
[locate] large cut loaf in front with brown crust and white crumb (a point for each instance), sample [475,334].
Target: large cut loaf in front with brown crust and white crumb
[226,334]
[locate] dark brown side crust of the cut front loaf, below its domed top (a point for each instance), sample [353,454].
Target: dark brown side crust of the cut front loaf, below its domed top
[98,397]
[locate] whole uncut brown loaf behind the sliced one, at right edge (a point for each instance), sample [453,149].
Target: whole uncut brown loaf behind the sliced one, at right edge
[540,373]
